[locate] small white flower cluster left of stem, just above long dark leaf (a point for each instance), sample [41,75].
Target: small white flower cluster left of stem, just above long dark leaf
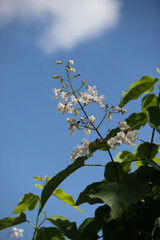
[80,150]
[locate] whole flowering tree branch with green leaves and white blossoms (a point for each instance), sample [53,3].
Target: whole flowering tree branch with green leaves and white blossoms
[129,200]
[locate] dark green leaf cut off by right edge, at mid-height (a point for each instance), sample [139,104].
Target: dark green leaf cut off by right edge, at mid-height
[153,116]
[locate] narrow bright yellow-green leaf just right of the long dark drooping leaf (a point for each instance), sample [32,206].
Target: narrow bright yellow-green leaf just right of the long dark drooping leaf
[68,199]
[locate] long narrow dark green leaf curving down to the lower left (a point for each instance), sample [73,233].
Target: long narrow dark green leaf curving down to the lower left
[53,183]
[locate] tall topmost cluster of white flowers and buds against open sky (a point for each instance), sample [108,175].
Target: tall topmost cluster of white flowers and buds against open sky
[68,100]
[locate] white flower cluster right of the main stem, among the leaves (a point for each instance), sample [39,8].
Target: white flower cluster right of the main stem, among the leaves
[122,137]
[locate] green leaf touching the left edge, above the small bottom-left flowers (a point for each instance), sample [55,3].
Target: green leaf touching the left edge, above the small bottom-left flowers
[9,222]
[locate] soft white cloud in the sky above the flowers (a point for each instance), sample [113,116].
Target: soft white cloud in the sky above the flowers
[65,23]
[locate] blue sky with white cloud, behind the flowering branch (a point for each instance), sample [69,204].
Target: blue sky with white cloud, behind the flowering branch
[113,43]
